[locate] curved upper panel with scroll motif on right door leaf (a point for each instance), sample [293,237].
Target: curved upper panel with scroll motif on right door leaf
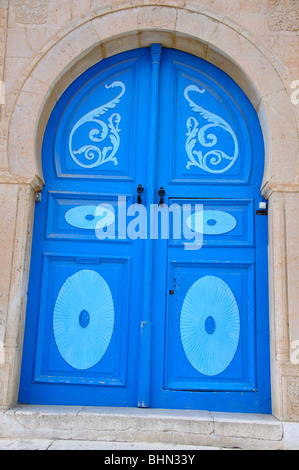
[208,138]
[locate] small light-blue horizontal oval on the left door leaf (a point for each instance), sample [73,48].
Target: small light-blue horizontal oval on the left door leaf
[90,217]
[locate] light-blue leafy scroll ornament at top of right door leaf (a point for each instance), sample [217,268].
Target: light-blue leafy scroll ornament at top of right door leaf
[211,159]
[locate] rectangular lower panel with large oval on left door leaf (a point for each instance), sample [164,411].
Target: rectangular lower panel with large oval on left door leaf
[83,325]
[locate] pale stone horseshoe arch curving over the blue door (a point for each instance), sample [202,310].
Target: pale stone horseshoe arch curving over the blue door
[206,34]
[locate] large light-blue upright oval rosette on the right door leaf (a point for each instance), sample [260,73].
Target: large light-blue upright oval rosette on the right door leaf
[210,325]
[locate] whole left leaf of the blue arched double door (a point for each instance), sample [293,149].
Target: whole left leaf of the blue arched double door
[91,155]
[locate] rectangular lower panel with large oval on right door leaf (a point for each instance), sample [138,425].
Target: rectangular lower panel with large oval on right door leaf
[210,328]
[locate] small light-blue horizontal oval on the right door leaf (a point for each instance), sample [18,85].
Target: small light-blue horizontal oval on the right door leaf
[212,223]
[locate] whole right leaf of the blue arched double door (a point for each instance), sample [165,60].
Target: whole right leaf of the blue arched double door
[210,152]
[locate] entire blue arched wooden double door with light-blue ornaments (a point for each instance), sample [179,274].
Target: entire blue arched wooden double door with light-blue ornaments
[118,317]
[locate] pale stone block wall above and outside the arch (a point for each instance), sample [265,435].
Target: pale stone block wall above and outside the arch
[32,23]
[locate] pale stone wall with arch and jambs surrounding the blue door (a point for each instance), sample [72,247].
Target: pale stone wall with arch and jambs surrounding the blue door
[45,44]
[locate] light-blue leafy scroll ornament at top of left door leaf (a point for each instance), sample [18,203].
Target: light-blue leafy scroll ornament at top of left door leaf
[92,154]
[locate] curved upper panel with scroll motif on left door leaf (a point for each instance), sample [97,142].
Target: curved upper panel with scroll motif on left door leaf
[97,134]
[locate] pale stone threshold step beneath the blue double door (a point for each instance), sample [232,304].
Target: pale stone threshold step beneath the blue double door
[148,426]
